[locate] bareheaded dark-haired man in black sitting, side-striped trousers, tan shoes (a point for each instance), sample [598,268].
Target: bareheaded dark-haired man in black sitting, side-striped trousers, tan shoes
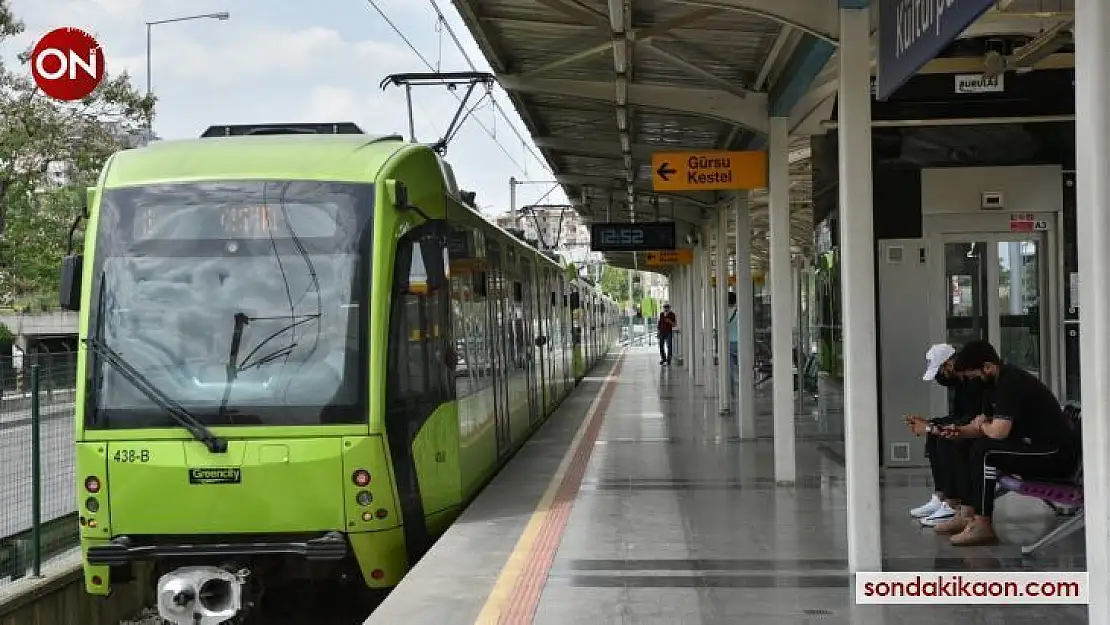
[1027,436]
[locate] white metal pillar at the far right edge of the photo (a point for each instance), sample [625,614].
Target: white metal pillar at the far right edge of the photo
[1093,220]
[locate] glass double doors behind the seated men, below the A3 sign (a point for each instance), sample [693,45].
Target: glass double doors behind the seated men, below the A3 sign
[997,289]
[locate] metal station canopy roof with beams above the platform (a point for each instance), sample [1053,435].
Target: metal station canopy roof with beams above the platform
[603,85]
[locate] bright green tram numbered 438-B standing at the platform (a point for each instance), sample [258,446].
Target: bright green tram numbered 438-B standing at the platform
[304,354]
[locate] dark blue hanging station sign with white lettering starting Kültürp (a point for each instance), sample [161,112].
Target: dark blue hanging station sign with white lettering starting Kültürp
[913,33]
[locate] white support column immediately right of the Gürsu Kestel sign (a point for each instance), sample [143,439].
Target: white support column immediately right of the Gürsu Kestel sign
[782,328]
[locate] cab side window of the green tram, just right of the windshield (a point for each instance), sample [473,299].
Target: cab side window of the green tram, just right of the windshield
[421,367]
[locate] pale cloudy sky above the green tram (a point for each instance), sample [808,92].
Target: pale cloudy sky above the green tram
[294,62]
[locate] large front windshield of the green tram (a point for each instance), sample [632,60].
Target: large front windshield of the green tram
[241,301]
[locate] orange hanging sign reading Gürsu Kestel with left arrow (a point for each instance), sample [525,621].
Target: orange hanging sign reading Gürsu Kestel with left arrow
[709,170]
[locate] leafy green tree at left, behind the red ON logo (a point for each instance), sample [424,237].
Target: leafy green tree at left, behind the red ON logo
[39,134]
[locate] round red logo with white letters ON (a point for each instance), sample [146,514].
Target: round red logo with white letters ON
[68,64]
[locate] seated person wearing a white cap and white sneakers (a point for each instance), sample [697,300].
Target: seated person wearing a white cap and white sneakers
[966,402]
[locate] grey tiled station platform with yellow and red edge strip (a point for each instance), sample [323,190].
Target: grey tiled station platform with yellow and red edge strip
[638,503]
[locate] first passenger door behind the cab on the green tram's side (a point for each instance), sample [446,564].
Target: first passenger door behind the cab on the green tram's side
[499,322]
